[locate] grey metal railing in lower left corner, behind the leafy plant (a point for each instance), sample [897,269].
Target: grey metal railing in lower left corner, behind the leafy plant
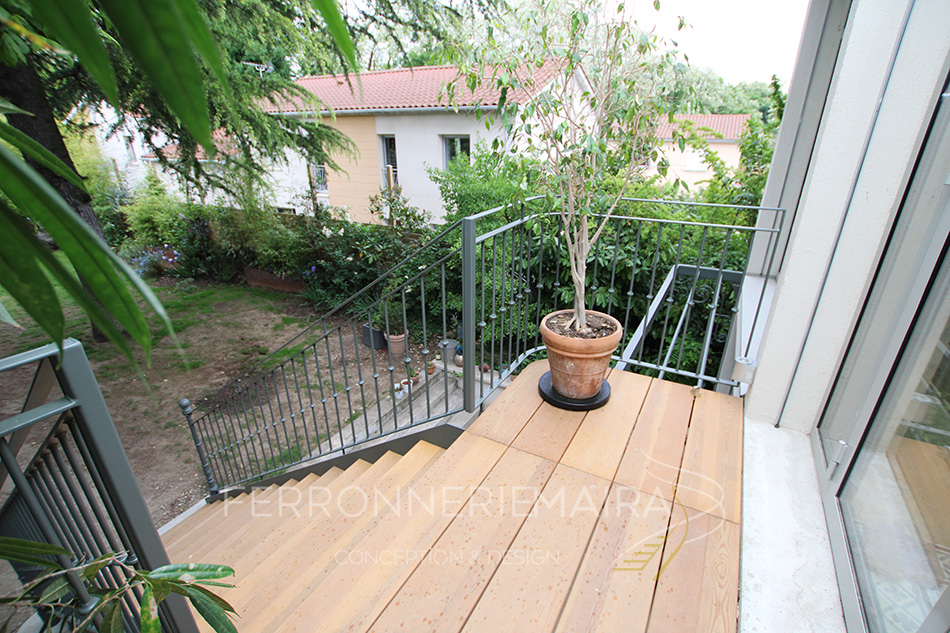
[77,491]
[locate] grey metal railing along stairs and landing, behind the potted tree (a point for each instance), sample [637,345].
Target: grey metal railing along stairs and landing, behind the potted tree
[671,272]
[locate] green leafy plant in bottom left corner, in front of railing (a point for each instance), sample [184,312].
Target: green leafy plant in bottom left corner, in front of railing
[51,591]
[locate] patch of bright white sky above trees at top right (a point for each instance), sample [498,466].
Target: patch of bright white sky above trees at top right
[741,40]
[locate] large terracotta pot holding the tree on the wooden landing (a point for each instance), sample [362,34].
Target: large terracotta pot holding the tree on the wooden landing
[578,365]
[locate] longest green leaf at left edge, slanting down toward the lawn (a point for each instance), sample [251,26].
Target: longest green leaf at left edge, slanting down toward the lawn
[89,255]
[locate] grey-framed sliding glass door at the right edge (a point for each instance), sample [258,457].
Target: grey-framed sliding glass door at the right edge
[883,443]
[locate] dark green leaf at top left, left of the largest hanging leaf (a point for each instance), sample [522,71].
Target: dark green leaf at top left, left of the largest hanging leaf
[72,23]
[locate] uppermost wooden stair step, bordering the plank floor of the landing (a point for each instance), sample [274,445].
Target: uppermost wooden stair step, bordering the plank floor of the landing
[336,590]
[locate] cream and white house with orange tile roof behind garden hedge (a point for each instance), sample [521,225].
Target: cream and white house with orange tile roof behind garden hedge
[400,121]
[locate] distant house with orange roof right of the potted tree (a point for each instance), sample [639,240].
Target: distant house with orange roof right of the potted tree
[721,131]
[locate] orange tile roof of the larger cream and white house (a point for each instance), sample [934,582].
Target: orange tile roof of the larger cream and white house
[420,87]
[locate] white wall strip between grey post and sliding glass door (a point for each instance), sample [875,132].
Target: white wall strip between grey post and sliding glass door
[862,160]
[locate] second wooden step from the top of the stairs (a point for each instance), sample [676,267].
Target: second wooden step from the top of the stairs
[275,583]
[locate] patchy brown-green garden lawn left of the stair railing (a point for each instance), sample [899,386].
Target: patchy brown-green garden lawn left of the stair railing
[222,330]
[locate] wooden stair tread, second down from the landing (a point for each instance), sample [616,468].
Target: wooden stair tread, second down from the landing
[298,569]
